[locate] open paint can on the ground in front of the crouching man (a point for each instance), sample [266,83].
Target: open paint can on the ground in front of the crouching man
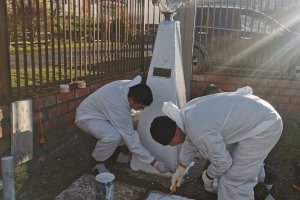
[105,186]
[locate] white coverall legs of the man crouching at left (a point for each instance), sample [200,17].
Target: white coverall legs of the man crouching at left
[108,137]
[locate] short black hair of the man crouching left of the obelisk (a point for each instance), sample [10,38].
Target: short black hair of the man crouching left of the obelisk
[141,93]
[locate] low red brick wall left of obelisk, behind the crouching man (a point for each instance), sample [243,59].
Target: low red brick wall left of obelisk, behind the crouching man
[53,115]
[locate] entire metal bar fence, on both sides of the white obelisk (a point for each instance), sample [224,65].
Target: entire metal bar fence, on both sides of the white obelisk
[48,42]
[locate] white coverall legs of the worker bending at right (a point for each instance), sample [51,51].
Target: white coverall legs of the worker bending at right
[248,156]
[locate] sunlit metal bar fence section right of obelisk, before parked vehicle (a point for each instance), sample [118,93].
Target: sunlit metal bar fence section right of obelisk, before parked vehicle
[248,37]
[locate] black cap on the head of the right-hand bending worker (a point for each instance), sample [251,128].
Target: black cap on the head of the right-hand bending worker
[163,129]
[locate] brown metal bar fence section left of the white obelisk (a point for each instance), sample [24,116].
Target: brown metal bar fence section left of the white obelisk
[62,41]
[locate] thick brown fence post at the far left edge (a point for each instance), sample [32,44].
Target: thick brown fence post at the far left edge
[4,55]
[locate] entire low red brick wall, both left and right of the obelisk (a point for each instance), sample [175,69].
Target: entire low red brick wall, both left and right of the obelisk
[54,113]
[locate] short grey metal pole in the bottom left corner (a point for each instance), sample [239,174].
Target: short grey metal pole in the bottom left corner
[7,164]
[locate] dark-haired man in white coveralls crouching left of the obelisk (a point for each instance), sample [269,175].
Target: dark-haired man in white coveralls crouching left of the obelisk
[106,114]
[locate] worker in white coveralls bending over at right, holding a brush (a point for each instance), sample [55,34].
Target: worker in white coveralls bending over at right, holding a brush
[208,124]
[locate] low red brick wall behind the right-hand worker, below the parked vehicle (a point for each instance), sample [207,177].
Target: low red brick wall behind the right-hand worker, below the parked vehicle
[284,95]
